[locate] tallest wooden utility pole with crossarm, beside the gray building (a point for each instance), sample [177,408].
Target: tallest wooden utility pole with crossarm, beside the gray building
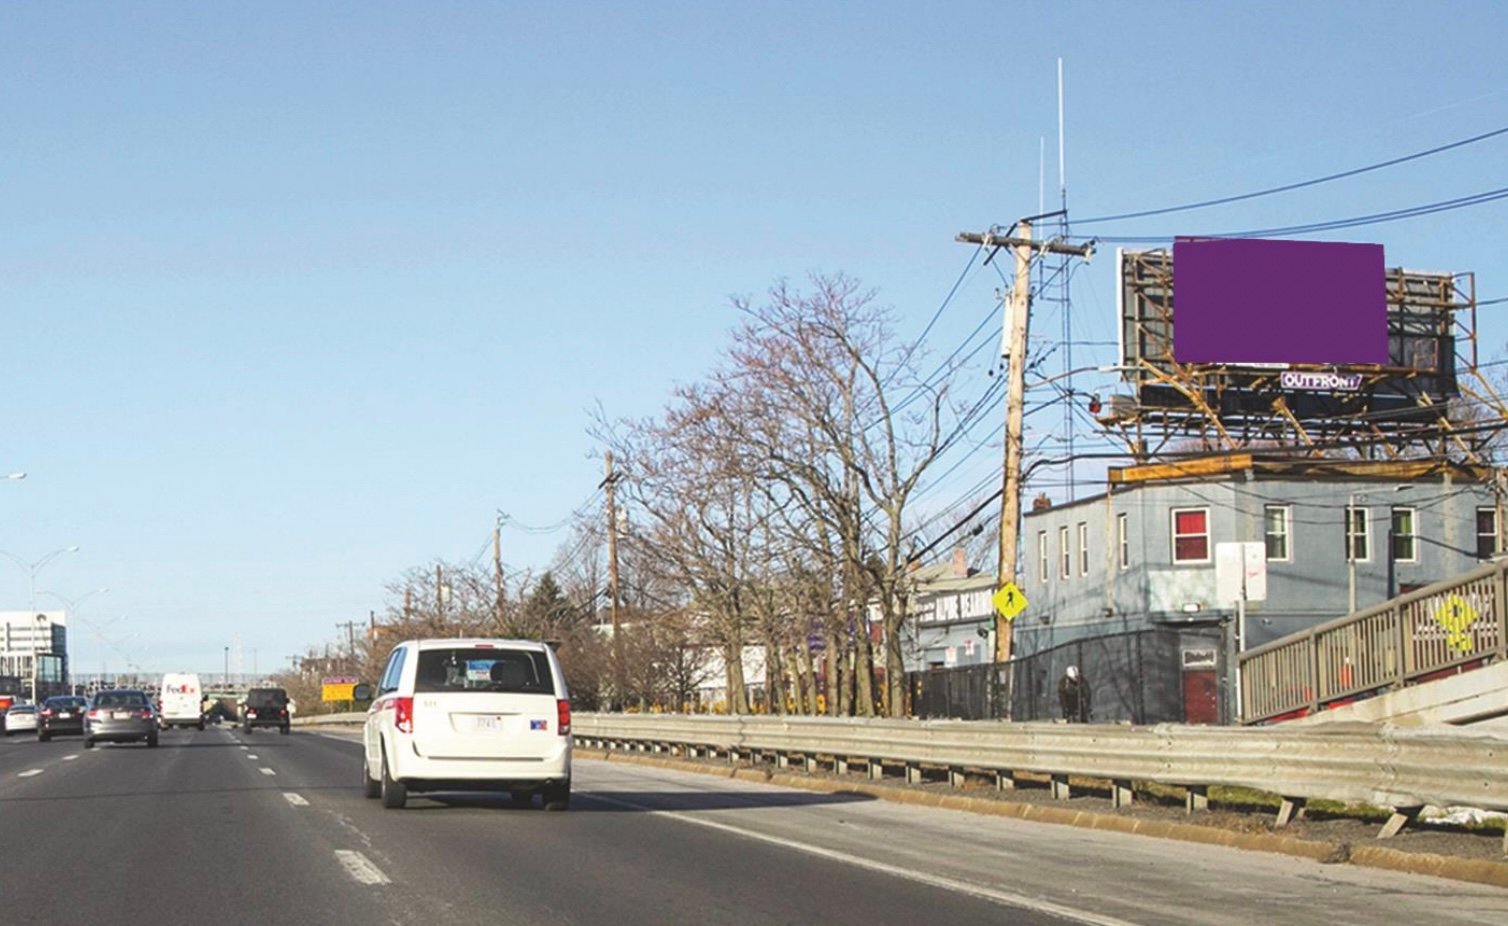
[1016,355]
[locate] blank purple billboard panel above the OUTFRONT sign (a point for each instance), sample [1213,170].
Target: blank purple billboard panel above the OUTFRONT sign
[1248,301]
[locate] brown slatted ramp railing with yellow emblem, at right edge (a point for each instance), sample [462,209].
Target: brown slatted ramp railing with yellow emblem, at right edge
[1435,630]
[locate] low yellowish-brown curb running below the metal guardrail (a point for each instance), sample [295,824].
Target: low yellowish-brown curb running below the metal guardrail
[1323,851]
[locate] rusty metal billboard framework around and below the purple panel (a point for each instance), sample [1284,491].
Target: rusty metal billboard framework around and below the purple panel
[1406,408]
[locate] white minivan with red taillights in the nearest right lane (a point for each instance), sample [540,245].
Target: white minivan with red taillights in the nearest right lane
[470,716]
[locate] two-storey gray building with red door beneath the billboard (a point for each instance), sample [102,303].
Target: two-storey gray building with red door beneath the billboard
[1138,565]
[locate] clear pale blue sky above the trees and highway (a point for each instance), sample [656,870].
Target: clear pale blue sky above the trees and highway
[298,296]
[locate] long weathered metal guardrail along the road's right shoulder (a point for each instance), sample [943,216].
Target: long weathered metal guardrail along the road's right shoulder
[1388,767]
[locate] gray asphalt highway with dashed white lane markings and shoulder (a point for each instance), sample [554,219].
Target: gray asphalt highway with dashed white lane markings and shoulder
[225,829]
